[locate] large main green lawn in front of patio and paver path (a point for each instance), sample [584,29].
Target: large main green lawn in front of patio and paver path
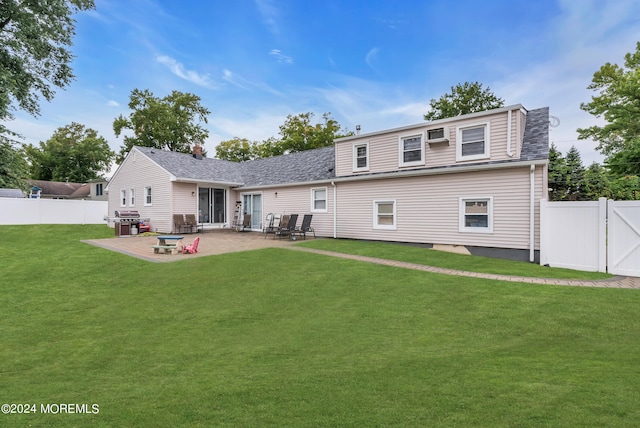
[284,338]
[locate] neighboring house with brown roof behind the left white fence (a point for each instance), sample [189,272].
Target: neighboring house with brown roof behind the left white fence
[94,190]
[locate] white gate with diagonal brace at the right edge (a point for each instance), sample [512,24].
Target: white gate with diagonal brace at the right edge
[624,237]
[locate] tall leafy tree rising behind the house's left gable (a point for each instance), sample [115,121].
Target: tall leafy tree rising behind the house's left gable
[170,123]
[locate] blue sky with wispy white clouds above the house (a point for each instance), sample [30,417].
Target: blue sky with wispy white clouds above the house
[373,63]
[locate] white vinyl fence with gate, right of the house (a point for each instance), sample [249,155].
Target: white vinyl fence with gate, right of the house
[599,236]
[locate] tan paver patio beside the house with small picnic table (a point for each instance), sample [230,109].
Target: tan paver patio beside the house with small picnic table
[217,241]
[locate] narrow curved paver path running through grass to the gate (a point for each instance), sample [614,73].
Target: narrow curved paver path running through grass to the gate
[615,282]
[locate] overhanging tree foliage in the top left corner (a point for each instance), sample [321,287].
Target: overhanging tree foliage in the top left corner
[35,37]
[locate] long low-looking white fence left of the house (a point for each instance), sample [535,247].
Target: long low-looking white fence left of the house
[52,211]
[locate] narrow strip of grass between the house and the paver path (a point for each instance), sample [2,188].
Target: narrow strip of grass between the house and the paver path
[423,256]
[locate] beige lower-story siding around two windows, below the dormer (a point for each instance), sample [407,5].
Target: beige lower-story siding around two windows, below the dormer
[427,208]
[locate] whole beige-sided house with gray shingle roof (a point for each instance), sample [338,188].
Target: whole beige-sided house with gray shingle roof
[474,180]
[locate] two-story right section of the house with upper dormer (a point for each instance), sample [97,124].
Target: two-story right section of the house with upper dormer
[472,180]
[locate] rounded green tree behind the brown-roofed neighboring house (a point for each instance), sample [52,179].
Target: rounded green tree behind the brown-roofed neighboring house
[73,153]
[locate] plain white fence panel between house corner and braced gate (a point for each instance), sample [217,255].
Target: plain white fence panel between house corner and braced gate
[573,235]
